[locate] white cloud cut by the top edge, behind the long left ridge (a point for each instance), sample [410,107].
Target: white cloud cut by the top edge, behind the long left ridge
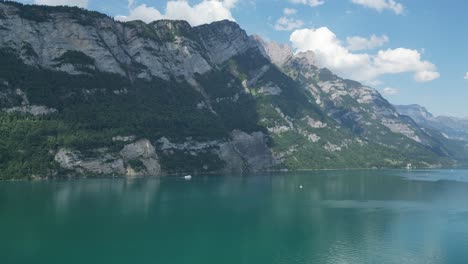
[206,11]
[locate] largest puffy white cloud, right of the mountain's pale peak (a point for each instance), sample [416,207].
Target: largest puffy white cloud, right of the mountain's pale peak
[365,67]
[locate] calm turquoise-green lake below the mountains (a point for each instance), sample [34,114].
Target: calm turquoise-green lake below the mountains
[339,217]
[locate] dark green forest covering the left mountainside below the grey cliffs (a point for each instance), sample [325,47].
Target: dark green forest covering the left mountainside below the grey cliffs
[90,114]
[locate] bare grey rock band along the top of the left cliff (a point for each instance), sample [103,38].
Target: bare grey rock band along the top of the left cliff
[162,49]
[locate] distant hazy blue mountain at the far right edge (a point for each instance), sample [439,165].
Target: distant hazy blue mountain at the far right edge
[451,127]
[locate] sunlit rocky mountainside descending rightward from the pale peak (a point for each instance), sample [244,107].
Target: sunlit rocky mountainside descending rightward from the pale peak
[359,108]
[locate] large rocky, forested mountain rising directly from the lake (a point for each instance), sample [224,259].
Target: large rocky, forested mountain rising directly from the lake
[82,94]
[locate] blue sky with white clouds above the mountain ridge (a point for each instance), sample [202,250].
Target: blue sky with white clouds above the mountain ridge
[412,51]
